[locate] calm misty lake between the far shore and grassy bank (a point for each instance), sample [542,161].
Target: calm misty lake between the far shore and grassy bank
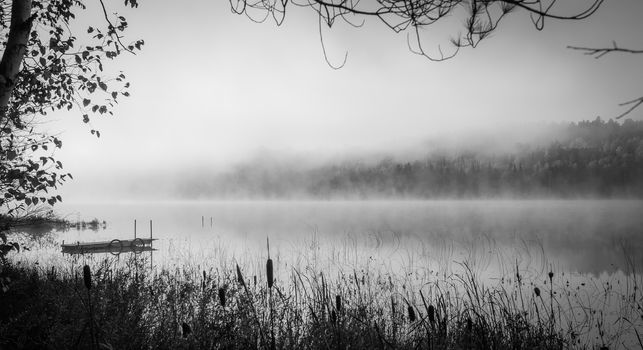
[585,255]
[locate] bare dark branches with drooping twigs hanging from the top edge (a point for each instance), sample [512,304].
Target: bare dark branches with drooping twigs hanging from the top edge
[482,19]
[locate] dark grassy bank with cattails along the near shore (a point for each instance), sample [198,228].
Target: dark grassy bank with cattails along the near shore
[129,306]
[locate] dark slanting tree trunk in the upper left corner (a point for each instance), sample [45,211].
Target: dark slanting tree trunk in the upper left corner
[15,50]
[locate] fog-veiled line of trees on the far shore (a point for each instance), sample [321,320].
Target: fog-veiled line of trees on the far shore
[593,159]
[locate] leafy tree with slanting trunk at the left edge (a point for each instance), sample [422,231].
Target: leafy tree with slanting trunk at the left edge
[46,67]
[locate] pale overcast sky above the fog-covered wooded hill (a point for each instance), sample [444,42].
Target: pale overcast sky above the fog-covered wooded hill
[212,89]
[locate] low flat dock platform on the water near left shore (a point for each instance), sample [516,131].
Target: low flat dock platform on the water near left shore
[115,246]
